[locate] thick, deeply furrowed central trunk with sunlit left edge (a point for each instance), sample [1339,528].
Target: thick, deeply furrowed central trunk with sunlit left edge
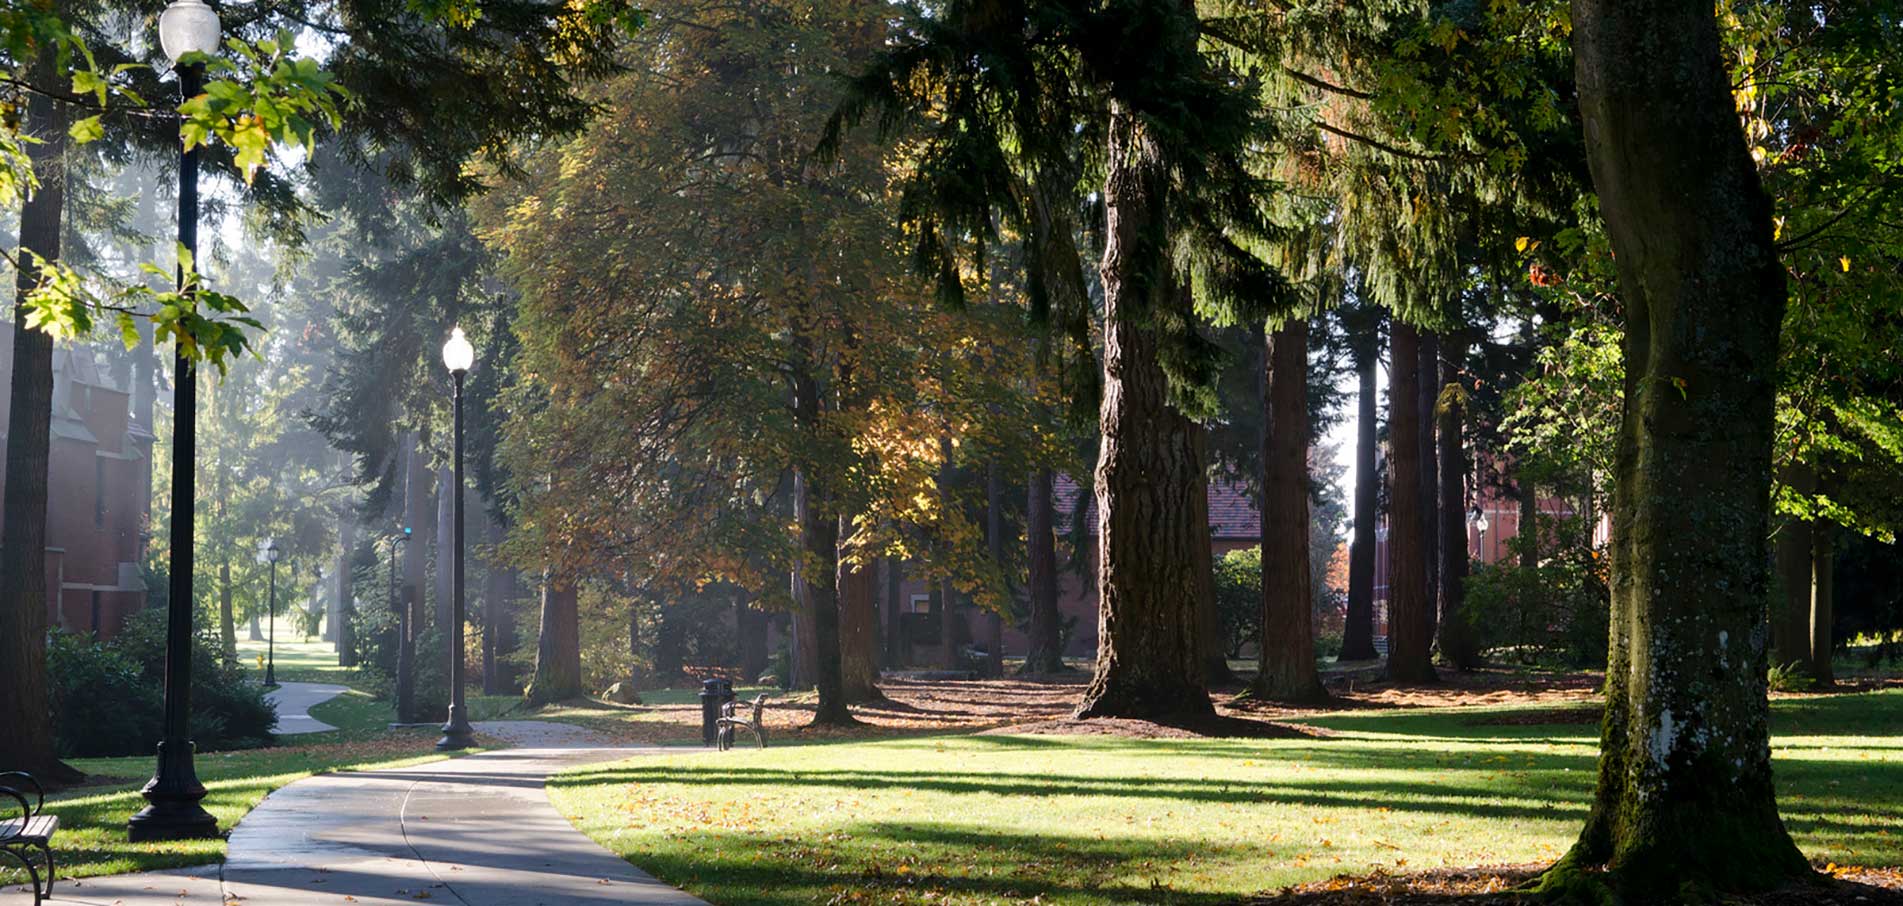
[1148,661]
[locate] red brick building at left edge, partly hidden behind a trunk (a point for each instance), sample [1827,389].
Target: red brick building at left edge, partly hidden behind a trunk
[98,492]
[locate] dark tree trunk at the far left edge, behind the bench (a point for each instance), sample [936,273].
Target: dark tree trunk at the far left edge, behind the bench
[26,713]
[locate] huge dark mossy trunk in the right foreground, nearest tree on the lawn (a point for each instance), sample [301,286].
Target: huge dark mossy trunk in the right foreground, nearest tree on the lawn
[1685,800]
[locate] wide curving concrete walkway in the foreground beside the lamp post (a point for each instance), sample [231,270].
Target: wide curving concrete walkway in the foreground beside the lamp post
[473,831]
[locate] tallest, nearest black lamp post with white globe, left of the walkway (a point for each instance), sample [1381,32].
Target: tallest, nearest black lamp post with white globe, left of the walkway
[174,791]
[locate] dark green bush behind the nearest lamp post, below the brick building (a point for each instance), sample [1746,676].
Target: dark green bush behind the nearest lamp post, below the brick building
[109,696]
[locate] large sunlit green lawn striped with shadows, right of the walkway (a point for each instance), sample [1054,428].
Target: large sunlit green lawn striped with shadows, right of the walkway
[1108,821]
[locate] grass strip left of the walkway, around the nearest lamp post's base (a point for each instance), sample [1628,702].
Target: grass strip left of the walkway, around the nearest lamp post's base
[92,819]
